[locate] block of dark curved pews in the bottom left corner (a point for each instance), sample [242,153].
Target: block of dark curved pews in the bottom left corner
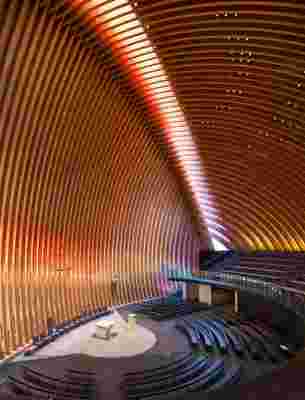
[34,384]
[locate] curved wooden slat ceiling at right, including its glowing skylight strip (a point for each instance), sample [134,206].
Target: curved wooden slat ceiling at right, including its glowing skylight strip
[225,80]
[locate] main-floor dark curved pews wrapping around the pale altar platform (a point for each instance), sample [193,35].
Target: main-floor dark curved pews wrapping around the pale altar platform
[222,345]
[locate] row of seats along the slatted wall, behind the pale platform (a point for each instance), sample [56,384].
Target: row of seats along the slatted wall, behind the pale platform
[66,326]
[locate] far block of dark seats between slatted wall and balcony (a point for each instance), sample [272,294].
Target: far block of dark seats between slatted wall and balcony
[167,308]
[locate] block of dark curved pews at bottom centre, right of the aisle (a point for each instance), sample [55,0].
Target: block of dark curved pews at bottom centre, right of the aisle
[182,375]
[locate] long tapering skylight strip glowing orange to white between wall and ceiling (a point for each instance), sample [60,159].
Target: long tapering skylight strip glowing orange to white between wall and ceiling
[119,27]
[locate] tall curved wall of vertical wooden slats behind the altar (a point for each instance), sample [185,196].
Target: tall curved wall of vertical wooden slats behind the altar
[85,191]
